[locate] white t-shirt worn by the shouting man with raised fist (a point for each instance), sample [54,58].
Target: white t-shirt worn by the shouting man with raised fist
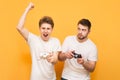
[41,68]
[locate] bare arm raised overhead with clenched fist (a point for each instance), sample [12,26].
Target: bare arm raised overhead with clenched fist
[20,27]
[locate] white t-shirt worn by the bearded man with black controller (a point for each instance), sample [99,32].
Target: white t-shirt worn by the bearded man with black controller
[72,70]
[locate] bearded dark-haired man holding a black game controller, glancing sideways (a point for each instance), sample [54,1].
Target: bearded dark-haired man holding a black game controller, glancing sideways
[79,54]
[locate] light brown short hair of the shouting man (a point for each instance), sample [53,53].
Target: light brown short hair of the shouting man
[46,19]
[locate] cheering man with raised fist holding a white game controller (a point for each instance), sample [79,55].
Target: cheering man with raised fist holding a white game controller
[44,48]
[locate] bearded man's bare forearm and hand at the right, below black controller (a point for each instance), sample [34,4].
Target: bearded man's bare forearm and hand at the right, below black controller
[88,65]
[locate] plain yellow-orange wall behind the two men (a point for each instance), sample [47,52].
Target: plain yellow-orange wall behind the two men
[15,60]
